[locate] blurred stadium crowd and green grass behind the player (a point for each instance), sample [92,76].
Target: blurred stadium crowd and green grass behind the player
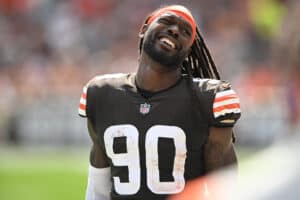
[50,48]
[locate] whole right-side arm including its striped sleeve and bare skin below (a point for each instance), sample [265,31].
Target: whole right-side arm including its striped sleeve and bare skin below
[224,111]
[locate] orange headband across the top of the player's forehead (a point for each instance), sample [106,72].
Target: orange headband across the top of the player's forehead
[178,10]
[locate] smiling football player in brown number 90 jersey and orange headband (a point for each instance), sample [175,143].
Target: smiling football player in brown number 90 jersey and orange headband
[168,123]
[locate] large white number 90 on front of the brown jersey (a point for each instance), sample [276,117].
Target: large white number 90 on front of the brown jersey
[131,158]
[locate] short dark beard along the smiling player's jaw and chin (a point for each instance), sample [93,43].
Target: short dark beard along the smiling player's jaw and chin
[172,62]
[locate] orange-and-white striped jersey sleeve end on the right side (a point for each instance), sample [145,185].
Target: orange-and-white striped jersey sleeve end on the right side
[226,108]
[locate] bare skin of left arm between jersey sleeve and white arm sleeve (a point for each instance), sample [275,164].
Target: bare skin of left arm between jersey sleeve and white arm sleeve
[97,155]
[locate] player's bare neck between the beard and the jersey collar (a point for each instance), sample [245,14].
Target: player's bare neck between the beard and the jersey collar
[153,76]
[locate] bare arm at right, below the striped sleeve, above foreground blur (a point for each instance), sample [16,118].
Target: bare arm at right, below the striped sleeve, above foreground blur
[219,151]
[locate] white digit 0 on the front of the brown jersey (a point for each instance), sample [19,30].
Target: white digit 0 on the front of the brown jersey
[152,137]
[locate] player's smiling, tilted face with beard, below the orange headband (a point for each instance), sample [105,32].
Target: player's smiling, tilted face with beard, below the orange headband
[167,39]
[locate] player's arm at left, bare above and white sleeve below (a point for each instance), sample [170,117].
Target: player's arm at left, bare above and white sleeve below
[99,183]
